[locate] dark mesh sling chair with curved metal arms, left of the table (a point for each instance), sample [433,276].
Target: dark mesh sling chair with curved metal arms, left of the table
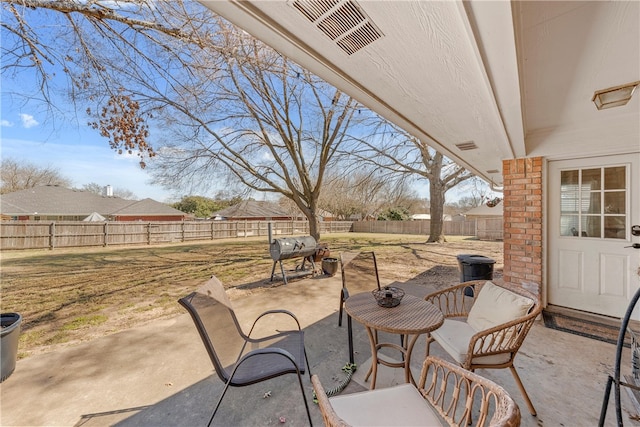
[240,359]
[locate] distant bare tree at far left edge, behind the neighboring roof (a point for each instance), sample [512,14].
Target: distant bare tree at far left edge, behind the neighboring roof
[20,175]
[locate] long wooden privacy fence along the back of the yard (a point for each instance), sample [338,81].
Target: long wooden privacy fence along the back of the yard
[40,235]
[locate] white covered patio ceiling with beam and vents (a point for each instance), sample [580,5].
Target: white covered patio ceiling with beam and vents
[481,81]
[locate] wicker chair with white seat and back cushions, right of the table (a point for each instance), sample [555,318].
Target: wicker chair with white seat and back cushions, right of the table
[486,330]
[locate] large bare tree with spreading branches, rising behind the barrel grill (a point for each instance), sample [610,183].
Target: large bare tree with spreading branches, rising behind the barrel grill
[255,117]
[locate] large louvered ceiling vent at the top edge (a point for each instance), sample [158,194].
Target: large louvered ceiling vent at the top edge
[342,21]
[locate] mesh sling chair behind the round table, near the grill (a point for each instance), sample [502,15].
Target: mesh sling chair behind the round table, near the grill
[359,272]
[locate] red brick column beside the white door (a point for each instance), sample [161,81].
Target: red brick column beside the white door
[523,220]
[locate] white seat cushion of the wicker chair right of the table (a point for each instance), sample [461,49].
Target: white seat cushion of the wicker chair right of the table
[454,337]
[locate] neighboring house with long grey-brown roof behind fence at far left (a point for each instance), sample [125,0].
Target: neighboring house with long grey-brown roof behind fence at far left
[54,203]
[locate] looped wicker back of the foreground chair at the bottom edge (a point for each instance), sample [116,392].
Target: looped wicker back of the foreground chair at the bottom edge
[452,391]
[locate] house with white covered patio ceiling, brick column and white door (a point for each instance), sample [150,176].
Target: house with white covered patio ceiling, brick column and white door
[505,89]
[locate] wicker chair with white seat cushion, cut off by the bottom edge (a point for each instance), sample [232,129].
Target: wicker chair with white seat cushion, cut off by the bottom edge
[446,395]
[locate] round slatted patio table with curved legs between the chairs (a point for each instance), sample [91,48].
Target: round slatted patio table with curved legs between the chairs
[413,317]
